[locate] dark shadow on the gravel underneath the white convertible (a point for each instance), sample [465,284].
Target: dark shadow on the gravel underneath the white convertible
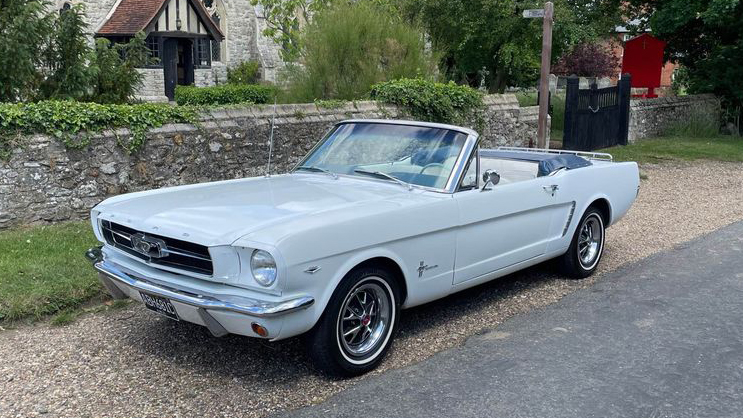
[285,362]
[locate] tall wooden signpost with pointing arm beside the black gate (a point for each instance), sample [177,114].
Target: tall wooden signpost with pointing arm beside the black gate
[546,14]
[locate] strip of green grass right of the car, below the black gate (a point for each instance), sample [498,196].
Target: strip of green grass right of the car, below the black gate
[720,148]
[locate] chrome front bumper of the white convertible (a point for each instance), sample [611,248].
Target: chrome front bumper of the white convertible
[239,304]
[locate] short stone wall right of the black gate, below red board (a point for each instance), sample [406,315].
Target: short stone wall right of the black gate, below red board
[654,117]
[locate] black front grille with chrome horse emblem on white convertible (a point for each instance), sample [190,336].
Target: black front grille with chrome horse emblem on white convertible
[159,250]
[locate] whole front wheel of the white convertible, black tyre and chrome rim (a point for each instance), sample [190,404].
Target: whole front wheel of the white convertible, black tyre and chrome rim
[356,330]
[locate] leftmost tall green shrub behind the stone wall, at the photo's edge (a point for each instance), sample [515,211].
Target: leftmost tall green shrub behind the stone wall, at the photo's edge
[25,28]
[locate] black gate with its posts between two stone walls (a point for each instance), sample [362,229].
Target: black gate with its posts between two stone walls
[596,118]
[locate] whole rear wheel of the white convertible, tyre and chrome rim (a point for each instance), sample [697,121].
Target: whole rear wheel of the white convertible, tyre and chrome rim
[587,246]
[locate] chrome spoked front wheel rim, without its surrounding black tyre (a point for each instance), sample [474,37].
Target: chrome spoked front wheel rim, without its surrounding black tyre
[365,318]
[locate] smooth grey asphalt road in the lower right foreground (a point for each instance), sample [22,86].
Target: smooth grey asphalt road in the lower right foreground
[658,338]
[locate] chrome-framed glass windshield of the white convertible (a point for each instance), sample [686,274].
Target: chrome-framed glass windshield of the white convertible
[417,155]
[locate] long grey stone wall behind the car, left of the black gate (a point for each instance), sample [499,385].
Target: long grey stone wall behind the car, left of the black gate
[45,182]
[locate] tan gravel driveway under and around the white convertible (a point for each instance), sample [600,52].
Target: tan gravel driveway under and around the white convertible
[133,363]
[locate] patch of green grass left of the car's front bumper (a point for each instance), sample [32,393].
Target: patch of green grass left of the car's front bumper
[43,271]
